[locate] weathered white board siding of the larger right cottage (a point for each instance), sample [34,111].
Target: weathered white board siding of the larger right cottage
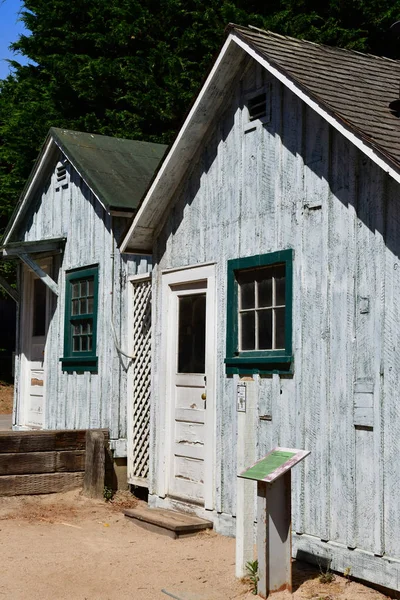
[297,183]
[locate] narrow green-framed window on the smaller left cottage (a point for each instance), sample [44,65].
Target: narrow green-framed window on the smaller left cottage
[80,320]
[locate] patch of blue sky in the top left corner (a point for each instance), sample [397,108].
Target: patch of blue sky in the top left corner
[10,29]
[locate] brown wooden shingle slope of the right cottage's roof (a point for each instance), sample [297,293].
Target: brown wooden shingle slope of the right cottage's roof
[356,88]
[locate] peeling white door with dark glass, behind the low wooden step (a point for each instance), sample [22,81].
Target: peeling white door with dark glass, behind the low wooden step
[191,340]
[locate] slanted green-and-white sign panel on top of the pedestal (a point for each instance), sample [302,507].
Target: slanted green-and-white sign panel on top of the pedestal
[274,464]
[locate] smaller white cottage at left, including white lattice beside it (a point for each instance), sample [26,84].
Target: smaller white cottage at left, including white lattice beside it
[78,296]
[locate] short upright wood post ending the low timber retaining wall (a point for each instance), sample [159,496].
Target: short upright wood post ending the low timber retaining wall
[93,483]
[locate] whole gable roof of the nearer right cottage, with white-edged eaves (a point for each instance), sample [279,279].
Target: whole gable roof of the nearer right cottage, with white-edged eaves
[352,91]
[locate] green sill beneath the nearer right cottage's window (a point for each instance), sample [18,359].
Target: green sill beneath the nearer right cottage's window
[259,363]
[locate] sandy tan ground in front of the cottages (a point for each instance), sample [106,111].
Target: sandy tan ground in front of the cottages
[66,546]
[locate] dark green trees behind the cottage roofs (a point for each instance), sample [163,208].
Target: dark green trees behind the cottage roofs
[130,68]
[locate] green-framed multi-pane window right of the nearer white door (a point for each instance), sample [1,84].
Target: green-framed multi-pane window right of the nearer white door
[259,316]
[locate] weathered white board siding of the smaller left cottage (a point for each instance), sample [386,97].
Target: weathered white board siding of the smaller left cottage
[86,400]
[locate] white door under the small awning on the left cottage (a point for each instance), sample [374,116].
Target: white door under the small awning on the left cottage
[36,322]
